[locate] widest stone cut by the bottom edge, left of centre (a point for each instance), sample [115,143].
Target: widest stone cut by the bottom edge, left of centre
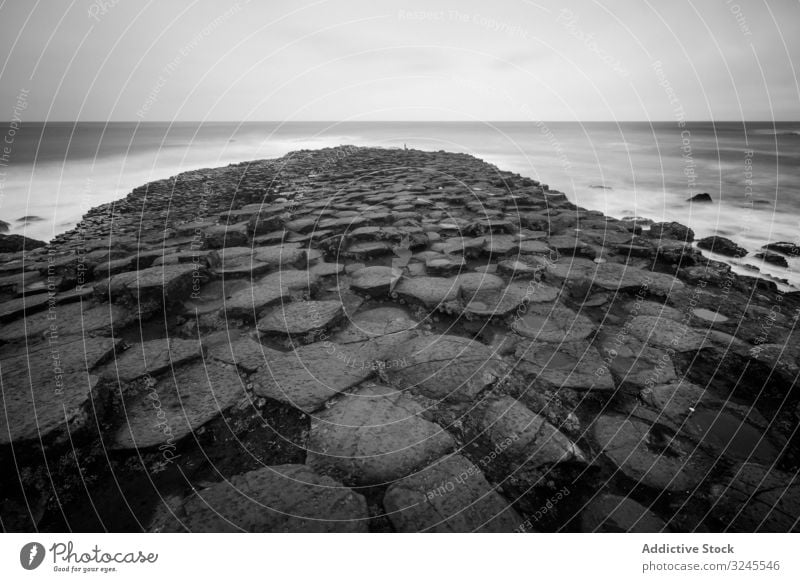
[277,499]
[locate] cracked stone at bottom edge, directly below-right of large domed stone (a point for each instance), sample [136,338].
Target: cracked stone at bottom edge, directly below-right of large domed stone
[451,495]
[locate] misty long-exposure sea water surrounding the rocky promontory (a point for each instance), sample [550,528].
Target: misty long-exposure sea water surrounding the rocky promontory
[58,171]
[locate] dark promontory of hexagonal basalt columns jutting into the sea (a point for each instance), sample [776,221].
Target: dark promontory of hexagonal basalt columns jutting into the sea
[363,339]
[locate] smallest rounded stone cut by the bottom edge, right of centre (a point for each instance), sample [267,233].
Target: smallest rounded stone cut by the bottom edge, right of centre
[611,513]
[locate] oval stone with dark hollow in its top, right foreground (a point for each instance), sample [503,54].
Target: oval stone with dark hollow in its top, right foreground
[650,456]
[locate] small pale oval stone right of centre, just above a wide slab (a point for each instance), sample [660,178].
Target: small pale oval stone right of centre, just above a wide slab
[553,322]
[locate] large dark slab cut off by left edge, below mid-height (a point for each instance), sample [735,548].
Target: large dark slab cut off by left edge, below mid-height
[49,390]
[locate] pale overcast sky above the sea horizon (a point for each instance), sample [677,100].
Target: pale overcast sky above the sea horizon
[367,60]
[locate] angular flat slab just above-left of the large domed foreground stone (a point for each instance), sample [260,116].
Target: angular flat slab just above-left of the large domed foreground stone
[309,376]
